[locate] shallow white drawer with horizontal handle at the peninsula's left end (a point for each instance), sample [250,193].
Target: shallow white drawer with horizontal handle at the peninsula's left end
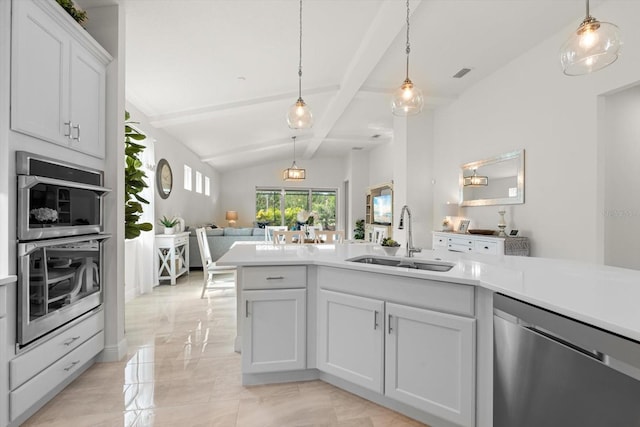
[276,277]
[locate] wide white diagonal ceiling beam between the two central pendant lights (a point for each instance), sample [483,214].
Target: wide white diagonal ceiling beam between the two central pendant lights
[389,21]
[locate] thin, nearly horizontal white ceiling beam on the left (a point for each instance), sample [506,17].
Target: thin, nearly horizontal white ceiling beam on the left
[204,113]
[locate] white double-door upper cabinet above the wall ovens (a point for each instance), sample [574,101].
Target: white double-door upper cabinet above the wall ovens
[58,78]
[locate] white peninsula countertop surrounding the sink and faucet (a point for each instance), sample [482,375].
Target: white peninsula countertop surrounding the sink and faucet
[603,296]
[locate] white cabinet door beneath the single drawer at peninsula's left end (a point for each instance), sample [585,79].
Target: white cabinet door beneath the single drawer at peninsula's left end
[274,330]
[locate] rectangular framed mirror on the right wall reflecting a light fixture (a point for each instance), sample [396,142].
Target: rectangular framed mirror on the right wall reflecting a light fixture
[497,180]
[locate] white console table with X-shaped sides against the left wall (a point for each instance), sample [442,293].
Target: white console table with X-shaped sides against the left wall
[173,256]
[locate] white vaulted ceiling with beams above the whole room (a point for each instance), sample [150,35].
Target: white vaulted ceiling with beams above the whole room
[219,75]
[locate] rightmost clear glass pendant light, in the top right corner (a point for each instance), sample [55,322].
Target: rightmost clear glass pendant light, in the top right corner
[593,46]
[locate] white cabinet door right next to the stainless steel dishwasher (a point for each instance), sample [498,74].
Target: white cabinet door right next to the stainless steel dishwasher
[430,360]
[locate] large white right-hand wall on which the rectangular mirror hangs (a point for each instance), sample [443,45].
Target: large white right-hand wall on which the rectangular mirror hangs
[530,104]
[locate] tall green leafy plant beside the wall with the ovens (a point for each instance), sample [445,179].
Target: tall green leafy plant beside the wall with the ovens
[134,182]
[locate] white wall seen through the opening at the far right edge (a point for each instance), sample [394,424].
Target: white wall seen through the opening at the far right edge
[622,179]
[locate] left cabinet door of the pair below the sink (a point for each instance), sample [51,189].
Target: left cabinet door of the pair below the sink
[351,338]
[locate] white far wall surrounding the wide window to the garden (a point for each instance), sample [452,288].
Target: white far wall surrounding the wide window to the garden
[238,188]
